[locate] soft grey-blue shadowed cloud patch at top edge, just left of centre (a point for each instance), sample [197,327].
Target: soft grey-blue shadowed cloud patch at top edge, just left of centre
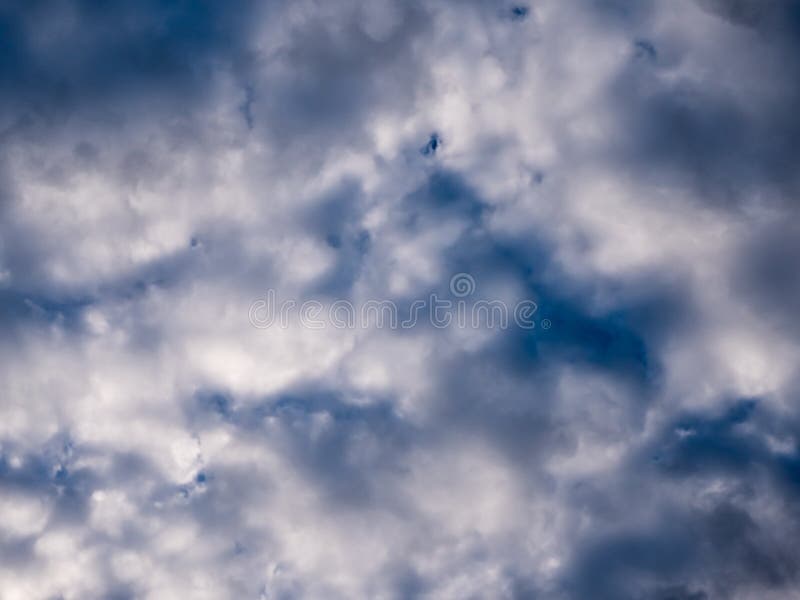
[329,81]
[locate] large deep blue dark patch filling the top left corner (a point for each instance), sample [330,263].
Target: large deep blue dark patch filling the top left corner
[94,59]
